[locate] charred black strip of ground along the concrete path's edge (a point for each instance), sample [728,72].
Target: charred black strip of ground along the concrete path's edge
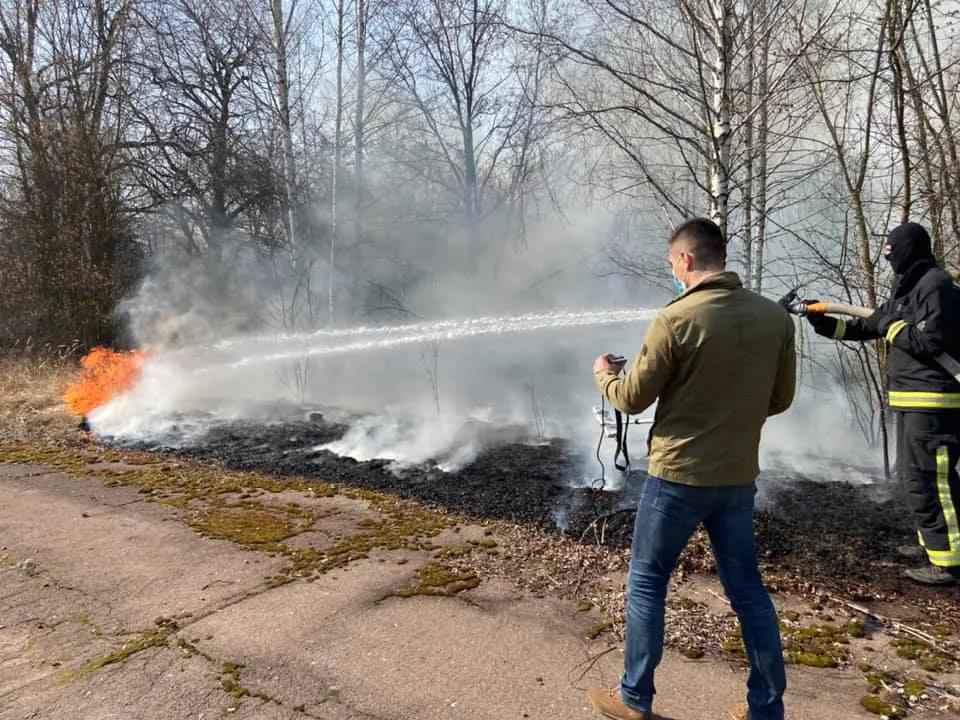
[828,533]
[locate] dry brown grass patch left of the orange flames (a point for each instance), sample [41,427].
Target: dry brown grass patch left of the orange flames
[31,397]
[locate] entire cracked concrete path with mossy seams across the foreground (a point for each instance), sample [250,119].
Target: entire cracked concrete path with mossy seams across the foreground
[112,607]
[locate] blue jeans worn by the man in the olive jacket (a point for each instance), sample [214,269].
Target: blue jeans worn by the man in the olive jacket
[667,515]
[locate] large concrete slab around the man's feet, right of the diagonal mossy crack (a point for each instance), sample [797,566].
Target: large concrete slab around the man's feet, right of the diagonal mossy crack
[332,647]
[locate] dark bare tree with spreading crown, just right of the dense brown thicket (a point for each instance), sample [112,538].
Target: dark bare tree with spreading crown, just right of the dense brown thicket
[207,158]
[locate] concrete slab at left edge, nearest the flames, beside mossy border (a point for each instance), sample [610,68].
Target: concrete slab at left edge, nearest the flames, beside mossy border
[134,557]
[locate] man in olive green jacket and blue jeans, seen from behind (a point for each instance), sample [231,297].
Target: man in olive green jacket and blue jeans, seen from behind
[720,360]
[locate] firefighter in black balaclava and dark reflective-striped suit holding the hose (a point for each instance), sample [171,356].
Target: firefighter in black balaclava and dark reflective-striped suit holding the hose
[920,321]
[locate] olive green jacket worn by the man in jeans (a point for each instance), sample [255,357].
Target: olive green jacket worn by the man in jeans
[720,359]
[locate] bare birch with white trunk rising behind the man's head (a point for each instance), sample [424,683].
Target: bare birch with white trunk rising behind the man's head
[679,89]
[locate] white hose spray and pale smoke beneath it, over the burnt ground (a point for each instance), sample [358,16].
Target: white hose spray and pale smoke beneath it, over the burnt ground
[501,379]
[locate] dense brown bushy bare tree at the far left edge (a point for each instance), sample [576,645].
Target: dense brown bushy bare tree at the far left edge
[66,97]
